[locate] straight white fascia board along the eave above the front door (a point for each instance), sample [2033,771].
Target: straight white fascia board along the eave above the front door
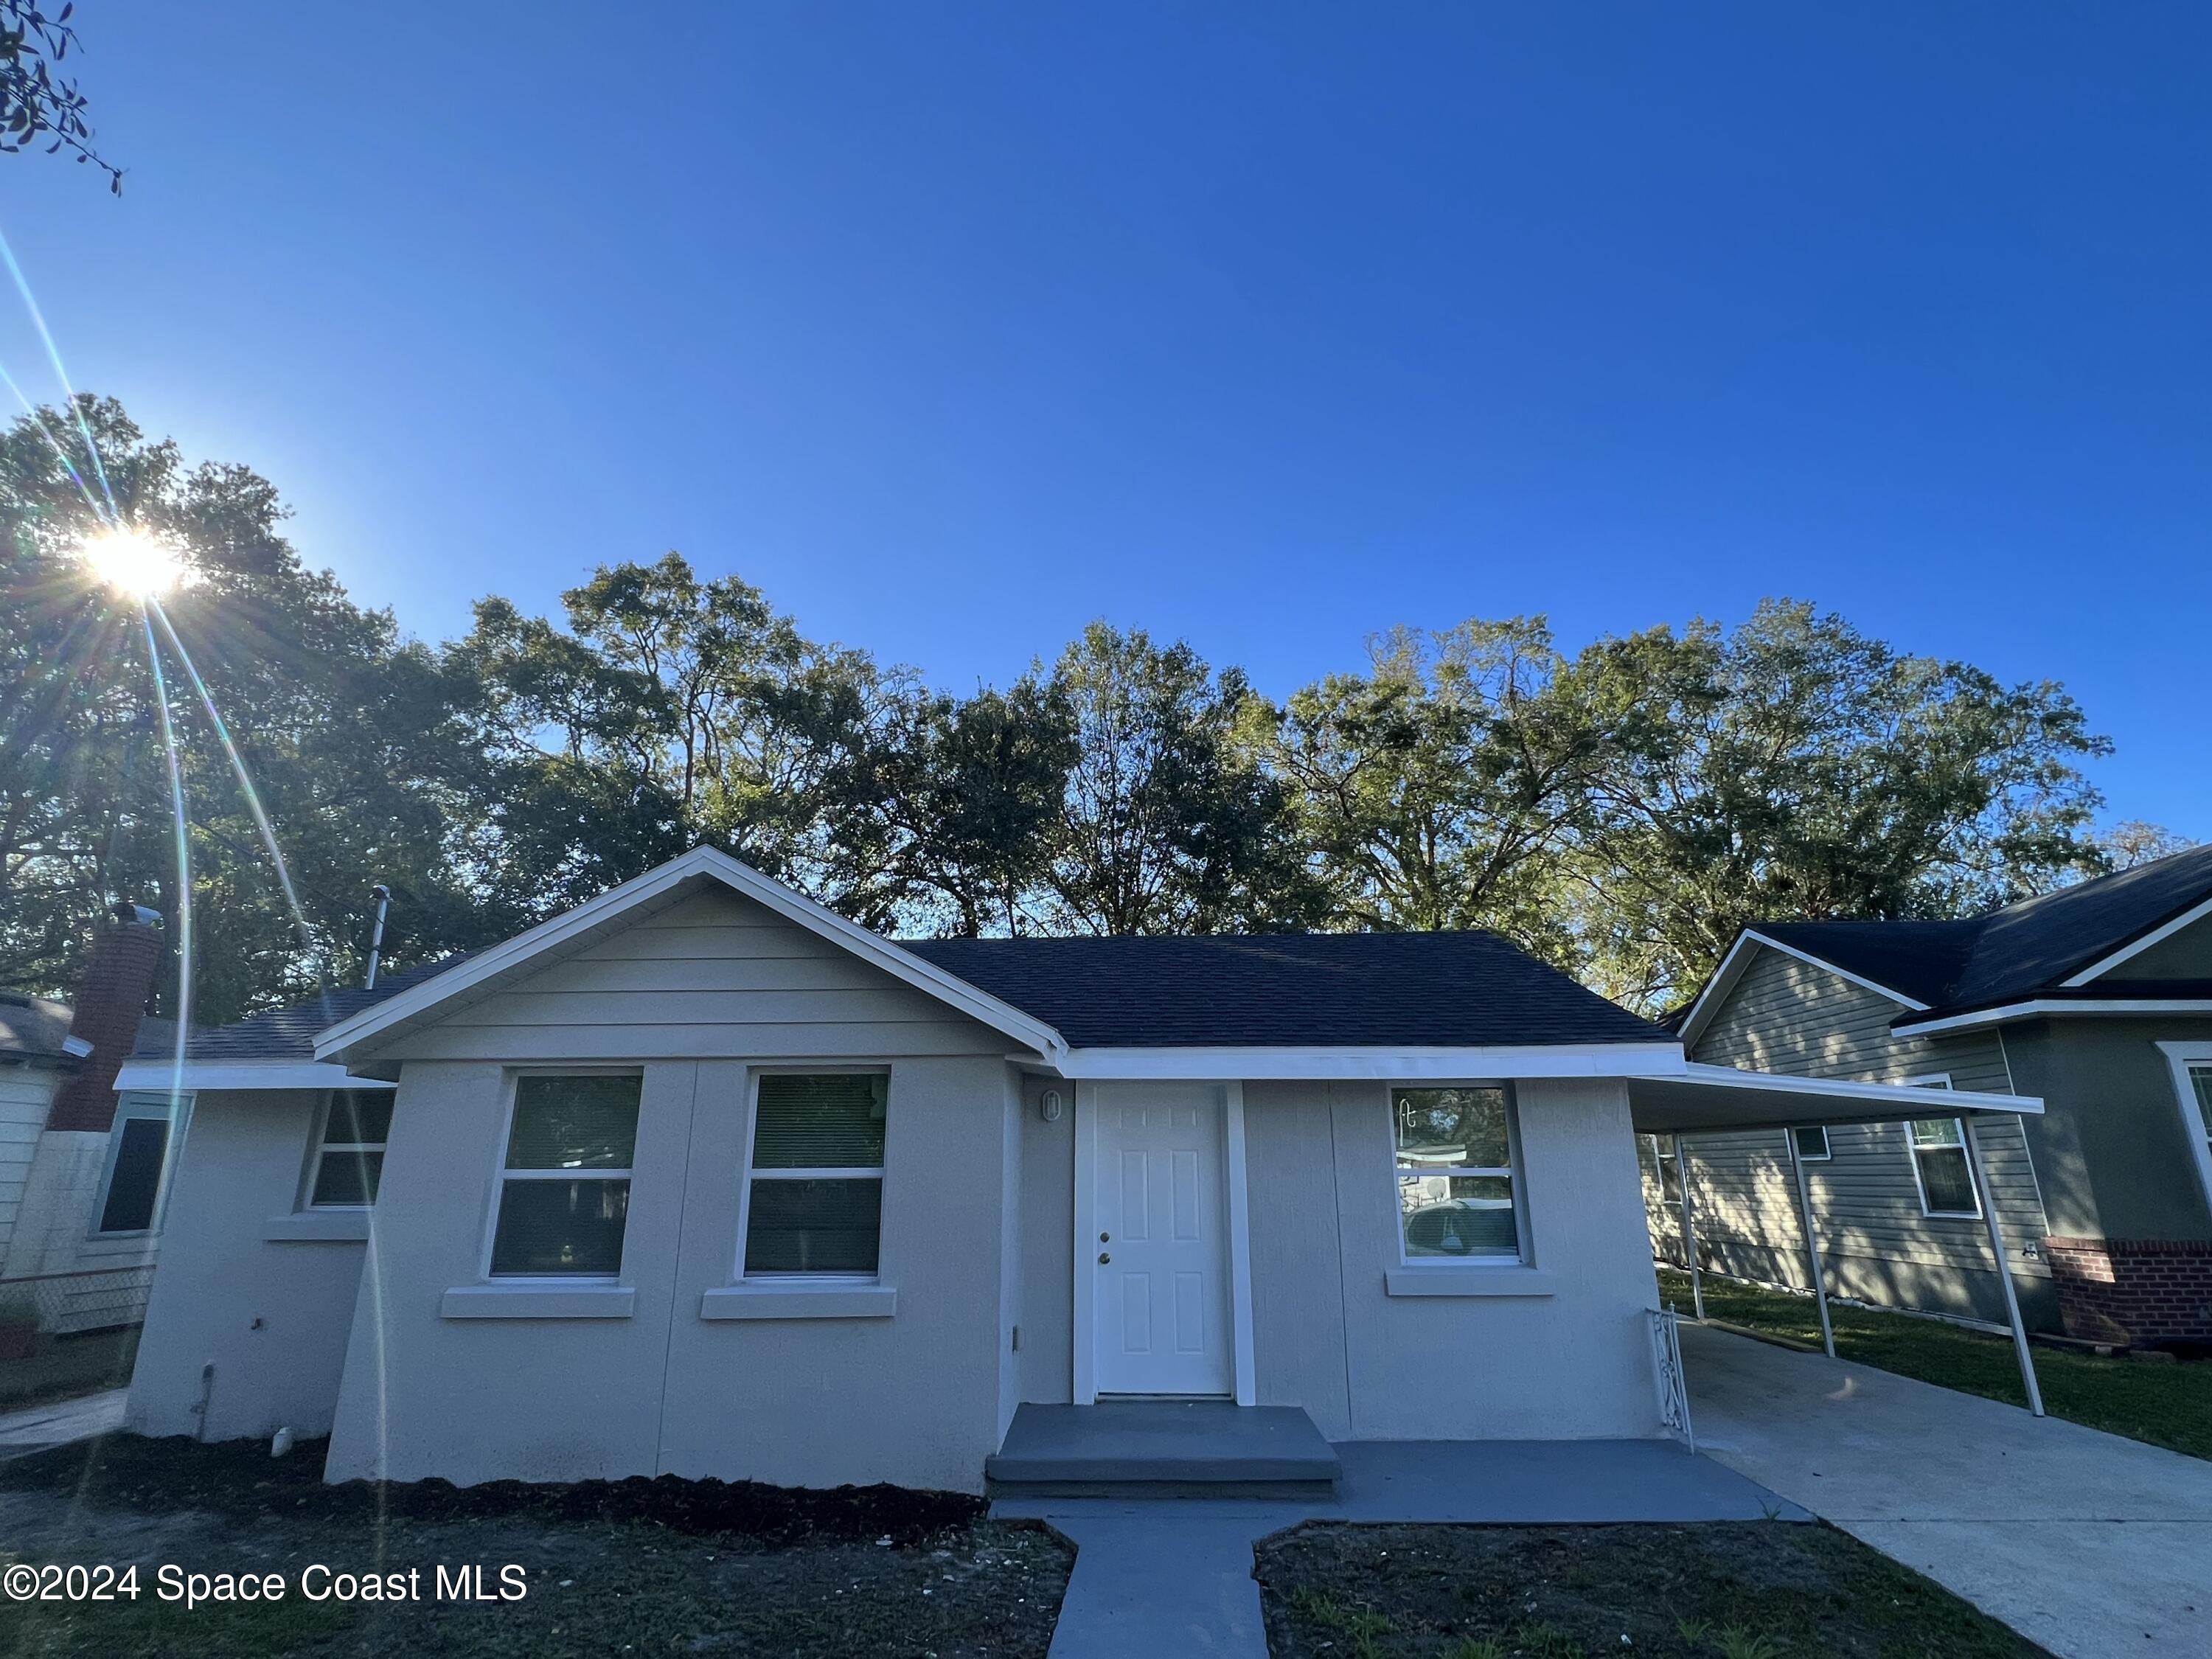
[1395,1065]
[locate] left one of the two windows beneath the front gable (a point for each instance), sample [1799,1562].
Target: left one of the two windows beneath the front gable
[565,1182]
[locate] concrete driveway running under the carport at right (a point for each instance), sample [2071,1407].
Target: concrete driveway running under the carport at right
[2080,1541]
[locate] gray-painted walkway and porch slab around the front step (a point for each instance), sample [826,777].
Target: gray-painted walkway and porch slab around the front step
[1173,1576]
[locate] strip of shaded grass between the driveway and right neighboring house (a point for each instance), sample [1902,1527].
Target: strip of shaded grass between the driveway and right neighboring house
[2164,1404]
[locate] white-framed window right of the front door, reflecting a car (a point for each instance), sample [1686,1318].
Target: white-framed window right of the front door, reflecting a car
[1457,1187]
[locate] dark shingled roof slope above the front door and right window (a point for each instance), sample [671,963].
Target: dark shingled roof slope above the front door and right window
[1288,990]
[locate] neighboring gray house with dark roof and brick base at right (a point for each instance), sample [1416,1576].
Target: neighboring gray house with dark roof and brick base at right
[2096,999]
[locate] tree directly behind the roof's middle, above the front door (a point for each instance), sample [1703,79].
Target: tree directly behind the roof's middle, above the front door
[1169,824]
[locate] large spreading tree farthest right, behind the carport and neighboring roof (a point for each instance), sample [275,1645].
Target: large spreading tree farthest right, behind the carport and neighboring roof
[1799,769]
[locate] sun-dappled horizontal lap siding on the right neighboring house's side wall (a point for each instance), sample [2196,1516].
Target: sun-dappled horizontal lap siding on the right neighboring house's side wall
[1791,1016]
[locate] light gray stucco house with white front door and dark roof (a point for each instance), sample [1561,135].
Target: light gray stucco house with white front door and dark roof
[705,1180]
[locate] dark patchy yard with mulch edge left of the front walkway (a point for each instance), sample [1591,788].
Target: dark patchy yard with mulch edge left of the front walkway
[649,1567]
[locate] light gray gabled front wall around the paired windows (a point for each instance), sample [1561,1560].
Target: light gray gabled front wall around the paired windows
[696,994]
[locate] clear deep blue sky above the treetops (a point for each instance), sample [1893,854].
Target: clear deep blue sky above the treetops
[954,326]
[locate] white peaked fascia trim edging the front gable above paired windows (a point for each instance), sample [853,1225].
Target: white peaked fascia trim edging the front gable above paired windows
[742,879]
